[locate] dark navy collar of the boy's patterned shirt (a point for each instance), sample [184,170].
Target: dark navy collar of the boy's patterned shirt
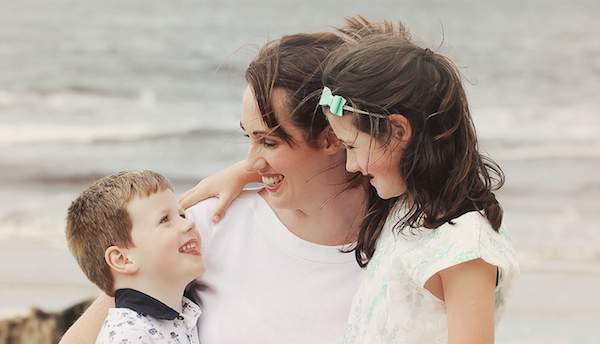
[143,304]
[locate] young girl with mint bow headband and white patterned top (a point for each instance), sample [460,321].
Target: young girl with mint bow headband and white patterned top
[439,263]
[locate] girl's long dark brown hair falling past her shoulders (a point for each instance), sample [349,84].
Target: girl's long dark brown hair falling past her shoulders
[381,70]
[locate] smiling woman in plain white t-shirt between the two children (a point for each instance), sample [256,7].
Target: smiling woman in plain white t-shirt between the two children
[275,270]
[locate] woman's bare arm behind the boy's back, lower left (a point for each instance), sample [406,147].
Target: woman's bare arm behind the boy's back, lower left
[86,328]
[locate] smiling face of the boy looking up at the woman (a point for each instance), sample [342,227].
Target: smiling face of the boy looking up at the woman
[167,245]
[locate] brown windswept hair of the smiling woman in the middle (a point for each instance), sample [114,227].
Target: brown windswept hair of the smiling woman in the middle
[293,63]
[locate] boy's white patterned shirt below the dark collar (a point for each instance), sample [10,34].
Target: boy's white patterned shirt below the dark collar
[124,325]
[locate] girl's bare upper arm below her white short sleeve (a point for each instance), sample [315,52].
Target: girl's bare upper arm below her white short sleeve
[469,293]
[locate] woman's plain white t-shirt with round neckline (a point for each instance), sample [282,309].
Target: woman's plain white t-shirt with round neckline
[265,285]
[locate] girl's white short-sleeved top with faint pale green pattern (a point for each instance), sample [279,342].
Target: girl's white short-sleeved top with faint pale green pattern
[392,305]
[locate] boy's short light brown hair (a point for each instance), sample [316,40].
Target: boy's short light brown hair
[98,219]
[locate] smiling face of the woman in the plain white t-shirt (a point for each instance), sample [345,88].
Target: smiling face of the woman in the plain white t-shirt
[296,176]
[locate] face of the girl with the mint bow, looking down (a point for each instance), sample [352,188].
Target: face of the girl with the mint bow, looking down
[368,156]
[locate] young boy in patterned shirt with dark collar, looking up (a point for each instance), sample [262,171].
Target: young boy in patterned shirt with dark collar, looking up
[131,238]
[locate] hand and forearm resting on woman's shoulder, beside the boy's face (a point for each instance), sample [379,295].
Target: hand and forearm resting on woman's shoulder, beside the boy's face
[226,184]
